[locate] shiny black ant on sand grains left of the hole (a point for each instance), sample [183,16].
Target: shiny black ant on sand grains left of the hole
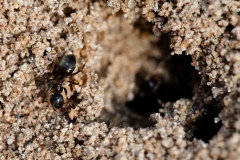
[65,68]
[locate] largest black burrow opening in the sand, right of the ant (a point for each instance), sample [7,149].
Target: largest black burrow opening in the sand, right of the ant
[183,78]
